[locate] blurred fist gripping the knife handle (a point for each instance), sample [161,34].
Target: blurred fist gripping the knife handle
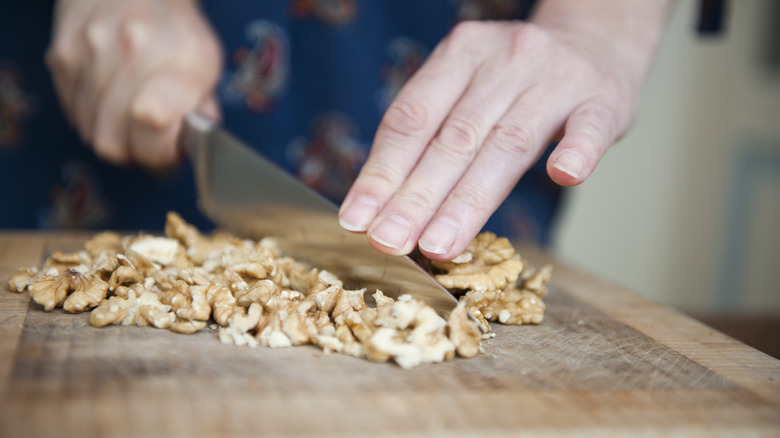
[127,71]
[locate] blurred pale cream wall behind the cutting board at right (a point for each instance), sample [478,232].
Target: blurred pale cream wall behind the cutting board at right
[686,208]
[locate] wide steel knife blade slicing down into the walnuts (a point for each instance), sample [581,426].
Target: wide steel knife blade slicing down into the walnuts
[246,193]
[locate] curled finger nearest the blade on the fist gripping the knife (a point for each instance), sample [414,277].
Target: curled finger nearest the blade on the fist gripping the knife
[156,114]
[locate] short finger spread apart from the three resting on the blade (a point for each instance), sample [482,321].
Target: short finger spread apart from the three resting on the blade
[590,130]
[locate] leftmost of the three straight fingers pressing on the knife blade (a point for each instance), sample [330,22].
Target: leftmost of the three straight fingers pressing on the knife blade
[406,128]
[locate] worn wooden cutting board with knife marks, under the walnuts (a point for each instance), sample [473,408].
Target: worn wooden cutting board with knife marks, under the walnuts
[604,362]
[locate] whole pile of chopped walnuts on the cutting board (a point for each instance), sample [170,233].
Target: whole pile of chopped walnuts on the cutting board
[254,296]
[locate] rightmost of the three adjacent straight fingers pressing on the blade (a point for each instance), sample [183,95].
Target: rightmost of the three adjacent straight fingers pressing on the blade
[513,145]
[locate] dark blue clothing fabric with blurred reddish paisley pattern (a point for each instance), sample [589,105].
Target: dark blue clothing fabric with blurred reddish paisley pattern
[306,83]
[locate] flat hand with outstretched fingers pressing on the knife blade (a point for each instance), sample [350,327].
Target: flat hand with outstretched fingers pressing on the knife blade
[477,115]
